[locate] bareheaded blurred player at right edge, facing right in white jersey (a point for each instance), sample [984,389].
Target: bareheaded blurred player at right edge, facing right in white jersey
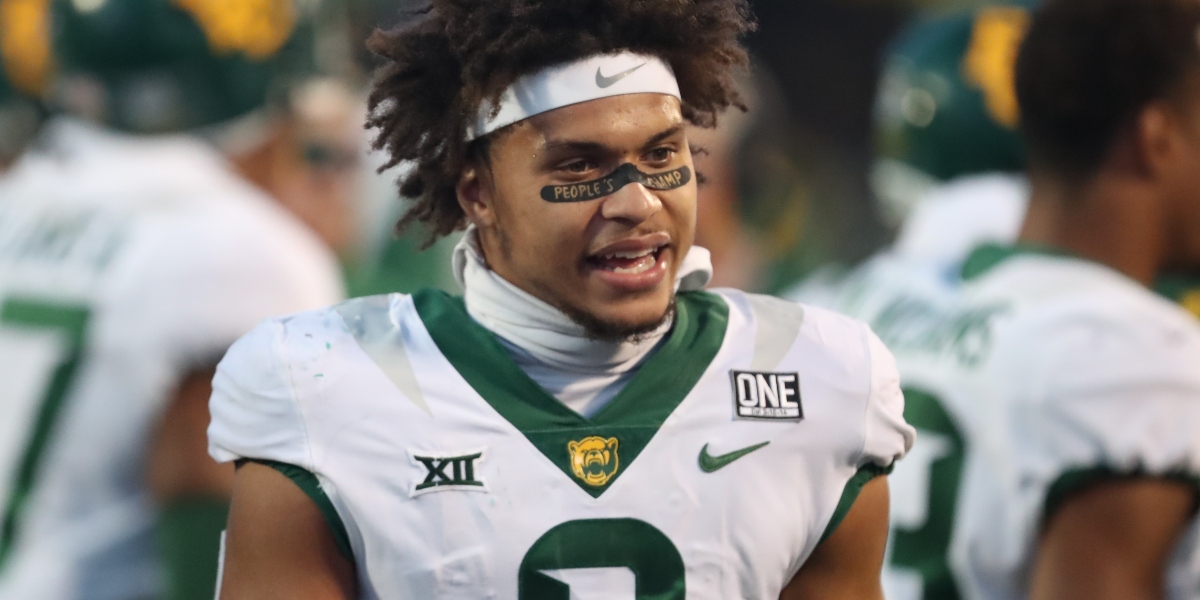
[1058,397]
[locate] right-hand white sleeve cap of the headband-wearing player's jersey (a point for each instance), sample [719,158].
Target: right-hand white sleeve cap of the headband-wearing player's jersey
[887,436]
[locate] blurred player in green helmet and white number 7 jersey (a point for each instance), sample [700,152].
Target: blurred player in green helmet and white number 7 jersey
[195,185]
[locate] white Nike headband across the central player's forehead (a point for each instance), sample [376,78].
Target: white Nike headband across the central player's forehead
[571,83]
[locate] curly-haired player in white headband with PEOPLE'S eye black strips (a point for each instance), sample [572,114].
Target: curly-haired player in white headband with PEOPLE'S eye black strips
[586,422]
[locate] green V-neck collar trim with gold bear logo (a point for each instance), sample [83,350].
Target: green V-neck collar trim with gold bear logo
[593,453]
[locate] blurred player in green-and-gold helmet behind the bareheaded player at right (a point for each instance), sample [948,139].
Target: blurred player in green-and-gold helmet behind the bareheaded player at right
[950,159]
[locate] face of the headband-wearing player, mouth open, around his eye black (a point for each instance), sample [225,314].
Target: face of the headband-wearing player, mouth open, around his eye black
[610,263]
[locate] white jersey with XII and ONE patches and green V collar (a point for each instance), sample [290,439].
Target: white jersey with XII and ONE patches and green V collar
[446,472]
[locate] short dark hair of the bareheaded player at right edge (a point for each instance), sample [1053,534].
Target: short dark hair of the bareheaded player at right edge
[1090,68]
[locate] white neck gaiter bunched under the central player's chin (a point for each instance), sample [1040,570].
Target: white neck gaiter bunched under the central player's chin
[545,333]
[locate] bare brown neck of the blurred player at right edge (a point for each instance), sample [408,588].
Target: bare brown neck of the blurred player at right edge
[1107,219]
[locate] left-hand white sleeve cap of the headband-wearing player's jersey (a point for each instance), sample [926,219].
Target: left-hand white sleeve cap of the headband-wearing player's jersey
[255,411]
